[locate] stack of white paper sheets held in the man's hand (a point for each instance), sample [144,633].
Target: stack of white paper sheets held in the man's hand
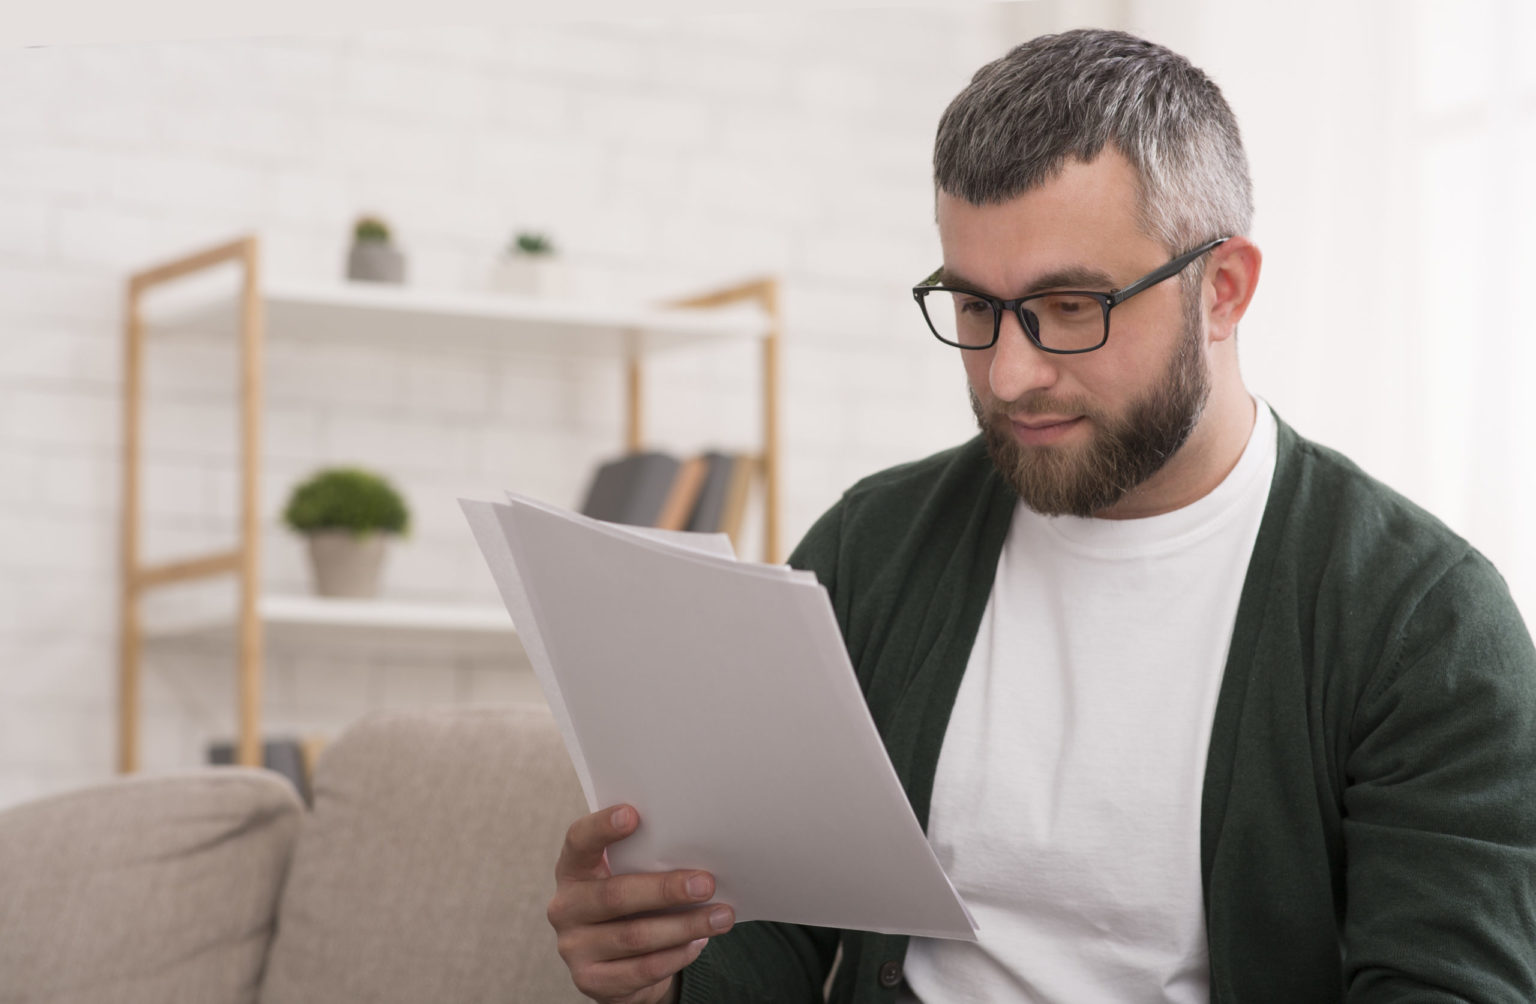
[717,696]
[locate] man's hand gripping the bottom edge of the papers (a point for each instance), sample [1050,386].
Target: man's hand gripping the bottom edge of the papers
[617,945]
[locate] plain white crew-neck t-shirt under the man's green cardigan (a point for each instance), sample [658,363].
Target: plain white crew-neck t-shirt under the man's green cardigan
[1067,801]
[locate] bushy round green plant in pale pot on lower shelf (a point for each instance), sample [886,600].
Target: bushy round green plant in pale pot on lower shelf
[346,514]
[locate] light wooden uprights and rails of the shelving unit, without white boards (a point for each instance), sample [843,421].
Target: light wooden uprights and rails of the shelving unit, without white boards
[245,560]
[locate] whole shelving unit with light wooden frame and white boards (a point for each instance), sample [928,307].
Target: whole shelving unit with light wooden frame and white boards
[512,323]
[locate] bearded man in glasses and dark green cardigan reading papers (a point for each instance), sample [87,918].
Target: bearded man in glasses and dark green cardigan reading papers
[1191,708]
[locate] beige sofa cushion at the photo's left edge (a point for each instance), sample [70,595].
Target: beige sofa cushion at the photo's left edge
[147,890]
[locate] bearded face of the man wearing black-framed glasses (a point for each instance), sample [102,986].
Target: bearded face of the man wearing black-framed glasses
[1074,435]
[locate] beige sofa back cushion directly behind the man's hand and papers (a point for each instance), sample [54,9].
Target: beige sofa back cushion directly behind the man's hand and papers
[428,864]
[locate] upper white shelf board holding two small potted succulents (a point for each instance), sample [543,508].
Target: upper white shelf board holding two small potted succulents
[376,311]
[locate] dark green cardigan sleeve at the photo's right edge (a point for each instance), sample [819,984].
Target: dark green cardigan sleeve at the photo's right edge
[1440,824]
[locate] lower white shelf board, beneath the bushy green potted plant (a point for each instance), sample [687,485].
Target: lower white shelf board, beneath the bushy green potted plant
[310,619]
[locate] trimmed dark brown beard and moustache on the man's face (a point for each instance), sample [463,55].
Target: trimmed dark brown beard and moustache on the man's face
[1122,454]
